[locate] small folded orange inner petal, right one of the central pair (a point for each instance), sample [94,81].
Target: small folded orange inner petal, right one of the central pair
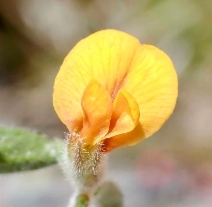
[125,114]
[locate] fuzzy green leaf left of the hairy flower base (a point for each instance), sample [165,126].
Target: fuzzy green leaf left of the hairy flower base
[22,150]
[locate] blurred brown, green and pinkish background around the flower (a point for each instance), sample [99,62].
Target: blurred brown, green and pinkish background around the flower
[173,168]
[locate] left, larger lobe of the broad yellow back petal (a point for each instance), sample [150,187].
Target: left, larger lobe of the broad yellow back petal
[104,56]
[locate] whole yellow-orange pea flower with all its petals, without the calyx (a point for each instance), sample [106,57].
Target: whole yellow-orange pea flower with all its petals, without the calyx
[112,89]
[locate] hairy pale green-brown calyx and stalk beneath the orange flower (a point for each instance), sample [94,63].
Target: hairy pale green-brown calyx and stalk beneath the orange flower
[85,167]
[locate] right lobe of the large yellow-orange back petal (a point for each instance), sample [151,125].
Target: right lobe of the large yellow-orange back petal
[152,80]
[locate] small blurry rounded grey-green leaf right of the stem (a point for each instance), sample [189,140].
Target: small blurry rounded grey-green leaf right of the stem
[108,195]
